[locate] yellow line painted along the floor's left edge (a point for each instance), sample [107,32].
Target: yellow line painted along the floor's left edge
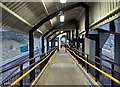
[36,79]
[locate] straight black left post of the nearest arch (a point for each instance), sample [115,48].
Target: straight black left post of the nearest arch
[31,55]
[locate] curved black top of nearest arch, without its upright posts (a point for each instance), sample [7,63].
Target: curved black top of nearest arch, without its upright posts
[56,13]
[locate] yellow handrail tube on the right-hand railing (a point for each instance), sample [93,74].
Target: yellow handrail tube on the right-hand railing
[104,73]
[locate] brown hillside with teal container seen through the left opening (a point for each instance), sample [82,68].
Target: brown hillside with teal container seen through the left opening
[12,44]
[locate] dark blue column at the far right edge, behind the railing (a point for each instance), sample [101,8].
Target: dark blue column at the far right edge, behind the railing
[116,51]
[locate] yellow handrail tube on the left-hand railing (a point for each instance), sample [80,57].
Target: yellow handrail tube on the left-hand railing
[24,75]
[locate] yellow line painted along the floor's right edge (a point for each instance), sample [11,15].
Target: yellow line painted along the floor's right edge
[91,78]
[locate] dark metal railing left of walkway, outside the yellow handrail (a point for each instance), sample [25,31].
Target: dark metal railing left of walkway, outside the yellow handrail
[21,71]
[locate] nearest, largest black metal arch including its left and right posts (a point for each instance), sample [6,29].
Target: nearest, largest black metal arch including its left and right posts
[31,35]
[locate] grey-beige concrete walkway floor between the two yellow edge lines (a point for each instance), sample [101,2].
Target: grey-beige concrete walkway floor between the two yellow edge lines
[62,70]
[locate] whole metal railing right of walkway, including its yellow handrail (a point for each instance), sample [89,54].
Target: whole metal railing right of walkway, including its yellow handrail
[84,59]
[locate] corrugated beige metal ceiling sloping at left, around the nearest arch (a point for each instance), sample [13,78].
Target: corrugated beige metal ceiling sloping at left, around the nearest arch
[30,13]
